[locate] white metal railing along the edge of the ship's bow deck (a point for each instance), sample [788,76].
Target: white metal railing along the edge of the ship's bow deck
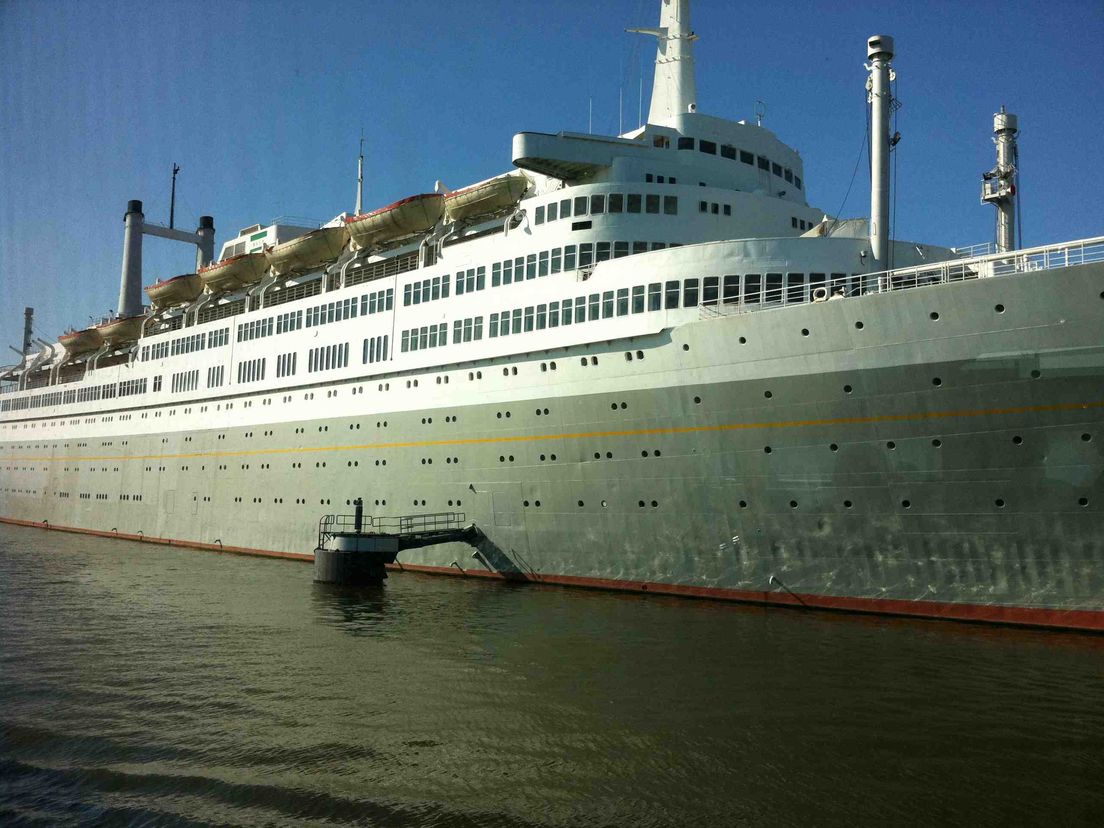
[773,291]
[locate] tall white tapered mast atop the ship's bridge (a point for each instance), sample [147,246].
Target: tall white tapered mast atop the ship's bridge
[674,91]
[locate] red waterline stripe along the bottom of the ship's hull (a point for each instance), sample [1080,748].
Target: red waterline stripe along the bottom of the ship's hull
[1079,620]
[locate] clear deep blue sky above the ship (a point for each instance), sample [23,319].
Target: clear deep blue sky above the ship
[262,105]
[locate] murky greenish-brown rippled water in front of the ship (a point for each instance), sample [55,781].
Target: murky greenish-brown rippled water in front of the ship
[145,685]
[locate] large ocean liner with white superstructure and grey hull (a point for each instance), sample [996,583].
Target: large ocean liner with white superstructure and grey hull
[639,363]
